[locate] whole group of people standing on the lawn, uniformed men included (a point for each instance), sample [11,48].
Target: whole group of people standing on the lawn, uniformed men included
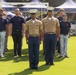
[52,31]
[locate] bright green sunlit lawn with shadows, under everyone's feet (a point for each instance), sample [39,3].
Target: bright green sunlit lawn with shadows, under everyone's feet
[20,66]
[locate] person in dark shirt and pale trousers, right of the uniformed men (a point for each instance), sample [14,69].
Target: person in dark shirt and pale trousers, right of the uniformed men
[64,33]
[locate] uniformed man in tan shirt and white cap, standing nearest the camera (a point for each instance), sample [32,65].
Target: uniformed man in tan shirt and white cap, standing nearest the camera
[33,29]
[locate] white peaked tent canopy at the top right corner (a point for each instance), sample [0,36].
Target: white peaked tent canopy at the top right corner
[69,6]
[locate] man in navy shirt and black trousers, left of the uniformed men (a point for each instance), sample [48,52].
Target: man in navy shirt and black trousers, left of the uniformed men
[17,32]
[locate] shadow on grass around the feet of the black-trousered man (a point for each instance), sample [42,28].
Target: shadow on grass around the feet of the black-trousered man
[9,56]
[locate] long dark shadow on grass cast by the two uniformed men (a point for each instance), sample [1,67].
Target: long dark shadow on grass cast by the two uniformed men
[28,71]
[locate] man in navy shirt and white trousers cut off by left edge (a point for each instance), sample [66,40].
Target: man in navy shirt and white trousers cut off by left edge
[3,32]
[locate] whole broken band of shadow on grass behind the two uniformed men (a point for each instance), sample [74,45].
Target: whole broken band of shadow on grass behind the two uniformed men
[25,56]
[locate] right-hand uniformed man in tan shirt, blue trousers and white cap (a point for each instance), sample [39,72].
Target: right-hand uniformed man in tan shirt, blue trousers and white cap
[51,34]
